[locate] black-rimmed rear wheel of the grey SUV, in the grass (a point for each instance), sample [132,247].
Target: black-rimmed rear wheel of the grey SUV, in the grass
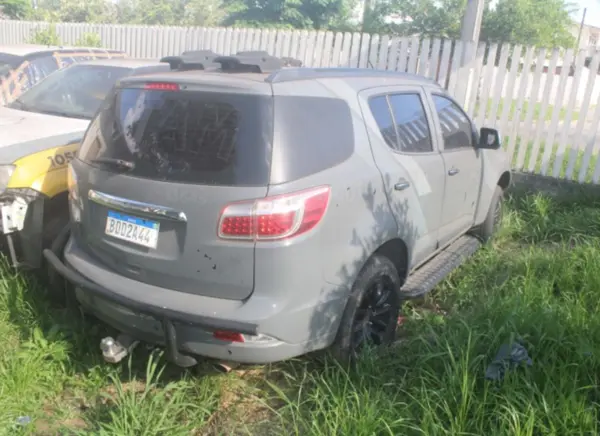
[371,314]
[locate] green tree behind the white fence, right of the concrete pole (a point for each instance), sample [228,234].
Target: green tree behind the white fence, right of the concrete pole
[543,23]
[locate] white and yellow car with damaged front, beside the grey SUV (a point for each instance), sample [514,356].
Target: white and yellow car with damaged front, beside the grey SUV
[39,135]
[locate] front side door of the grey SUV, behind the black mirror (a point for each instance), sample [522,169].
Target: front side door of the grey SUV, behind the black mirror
[462,165]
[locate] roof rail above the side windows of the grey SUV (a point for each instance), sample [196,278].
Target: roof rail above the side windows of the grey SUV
[291,74]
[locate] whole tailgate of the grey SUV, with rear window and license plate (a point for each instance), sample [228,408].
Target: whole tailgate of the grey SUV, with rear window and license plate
[188,154]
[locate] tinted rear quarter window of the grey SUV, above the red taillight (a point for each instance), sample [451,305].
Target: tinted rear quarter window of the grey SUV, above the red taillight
[311,135]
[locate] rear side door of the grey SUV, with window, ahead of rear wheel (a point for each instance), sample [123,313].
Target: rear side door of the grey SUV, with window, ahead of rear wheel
[399,126]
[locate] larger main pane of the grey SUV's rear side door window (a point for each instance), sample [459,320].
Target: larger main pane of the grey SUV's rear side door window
[411,123]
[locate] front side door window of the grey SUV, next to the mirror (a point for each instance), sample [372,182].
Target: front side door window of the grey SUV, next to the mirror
[456,126]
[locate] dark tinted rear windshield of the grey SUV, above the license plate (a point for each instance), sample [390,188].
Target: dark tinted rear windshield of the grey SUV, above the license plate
[207,138]
